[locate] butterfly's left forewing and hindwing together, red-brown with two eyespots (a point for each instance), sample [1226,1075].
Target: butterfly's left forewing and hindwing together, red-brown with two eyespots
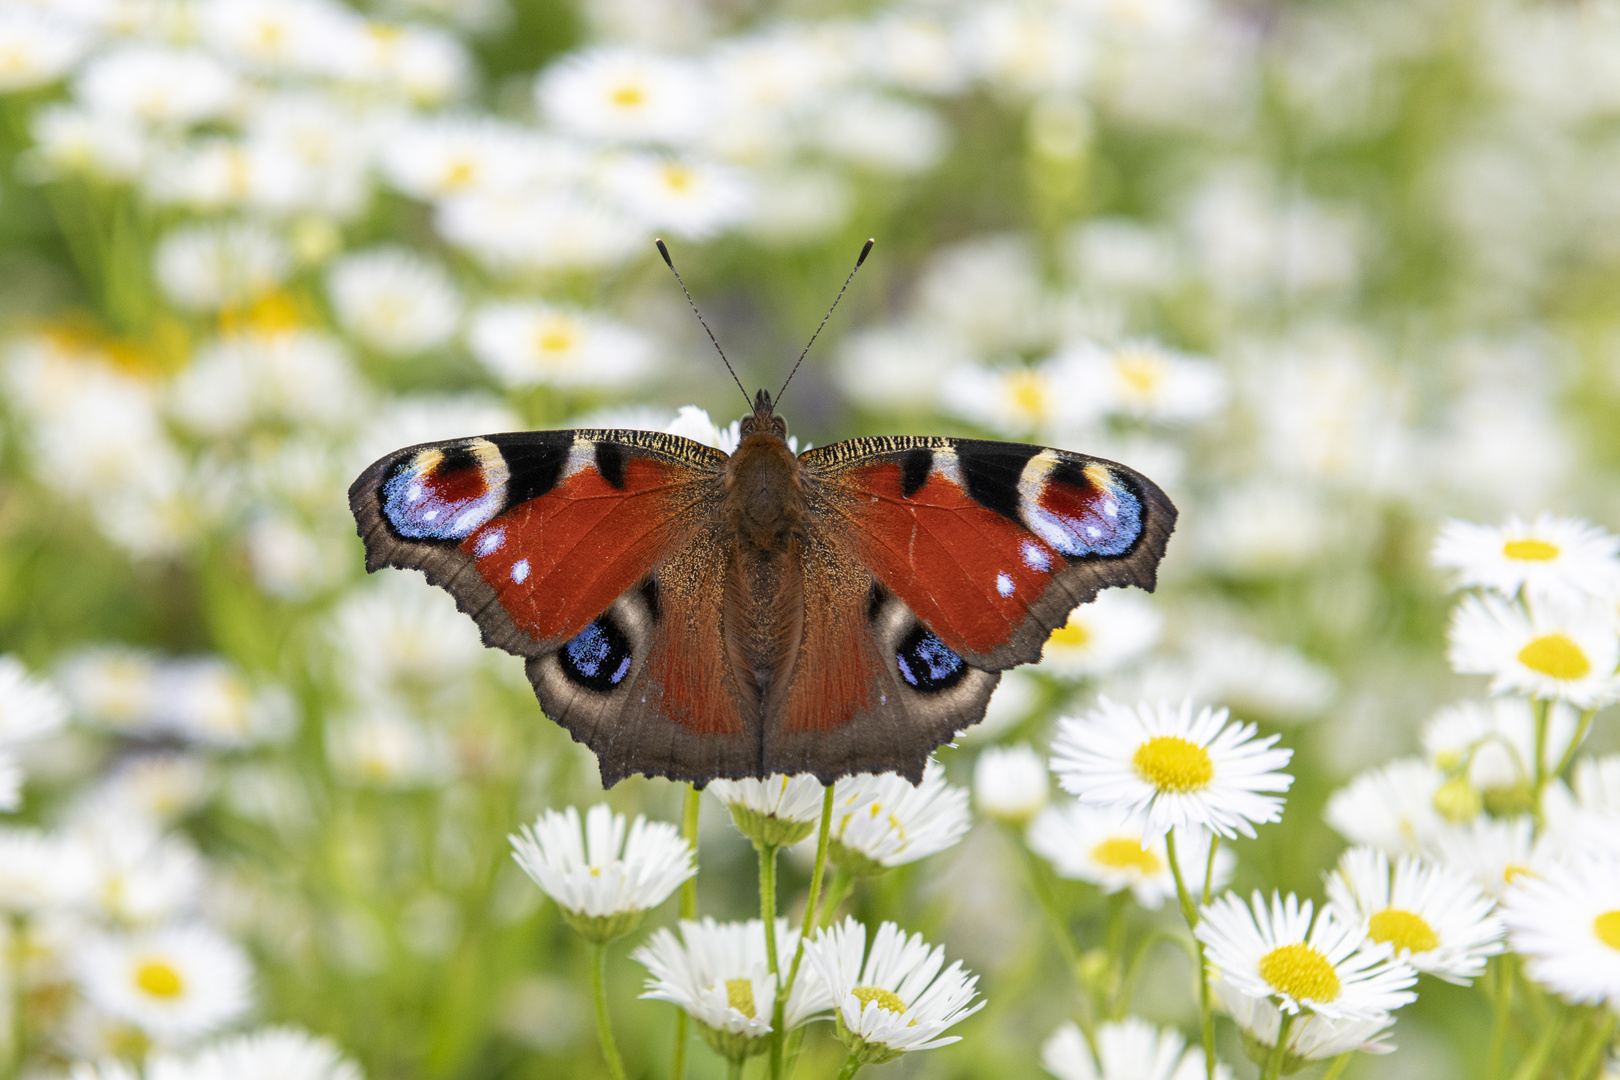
[594,555]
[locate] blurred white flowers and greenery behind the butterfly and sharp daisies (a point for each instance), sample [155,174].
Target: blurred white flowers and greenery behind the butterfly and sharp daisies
[1331,273]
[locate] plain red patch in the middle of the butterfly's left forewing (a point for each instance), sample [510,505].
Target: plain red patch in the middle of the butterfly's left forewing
[560,559]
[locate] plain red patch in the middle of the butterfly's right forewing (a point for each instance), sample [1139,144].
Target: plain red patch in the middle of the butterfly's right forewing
[968,572]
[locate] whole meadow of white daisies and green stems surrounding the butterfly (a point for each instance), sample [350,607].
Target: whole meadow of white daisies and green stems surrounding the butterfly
[1342,278]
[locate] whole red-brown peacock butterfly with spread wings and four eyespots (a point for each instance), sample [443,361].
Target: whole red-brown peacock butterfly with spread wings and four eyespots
[694,614]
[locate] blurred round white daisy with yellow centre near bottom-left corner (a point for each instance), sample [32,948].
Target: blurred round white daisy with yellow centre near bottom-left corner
[174,984]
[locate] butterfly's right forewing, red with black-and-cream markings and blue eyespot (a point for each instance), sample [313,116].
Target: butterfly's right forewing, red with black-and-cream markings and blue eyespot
[992,545]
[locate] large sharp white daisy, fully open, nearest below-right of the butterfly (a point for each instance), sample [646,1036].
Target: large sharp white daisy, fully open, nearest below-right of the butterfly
[1175,767]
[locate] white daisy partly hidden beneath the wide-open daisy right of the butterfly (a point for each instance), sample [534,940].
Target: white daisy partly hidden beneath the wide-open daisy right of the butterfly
[1111,849]
